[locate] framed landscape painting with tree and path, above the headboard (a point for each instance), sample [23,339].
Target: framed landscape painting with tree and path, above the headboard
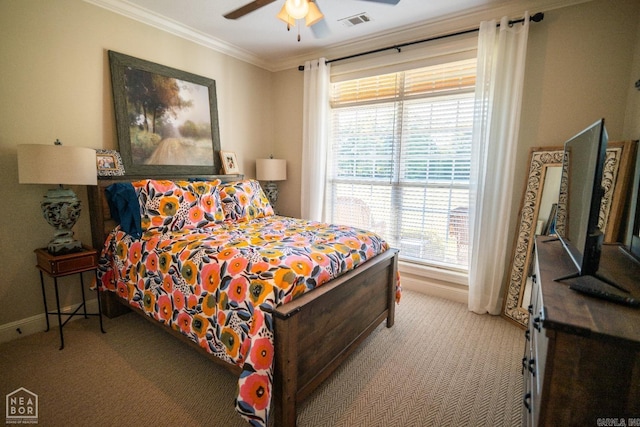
[167,119]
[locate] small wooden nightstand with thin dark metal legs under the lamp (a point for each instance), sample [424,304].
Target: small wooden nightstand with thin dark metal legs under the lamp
[63,265]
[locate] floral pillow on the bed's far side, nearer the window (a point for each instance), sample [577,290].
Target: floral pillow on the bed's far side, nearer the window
[244,200]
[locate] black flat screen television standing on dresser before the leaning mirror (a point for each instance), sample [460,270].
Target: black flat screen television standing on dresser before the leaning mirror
[580,198]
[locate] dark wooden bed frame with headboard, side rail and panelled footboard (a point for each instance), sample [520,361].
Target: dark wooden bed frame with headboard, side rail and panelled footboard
[314,333]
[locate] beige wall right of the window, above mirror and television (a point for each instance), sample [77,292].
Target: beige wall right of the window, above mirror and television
[579,69]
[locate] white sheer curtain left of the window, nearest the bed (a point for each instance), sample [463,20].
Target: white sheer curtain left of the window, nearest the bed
[315,128]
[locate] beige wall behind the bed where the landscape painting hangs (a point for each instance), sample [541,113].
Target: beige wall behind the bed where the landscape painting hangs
[55,83]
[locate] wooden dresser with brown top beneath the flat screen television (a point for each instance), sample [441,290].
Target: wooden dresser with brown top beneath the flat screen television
[582,354]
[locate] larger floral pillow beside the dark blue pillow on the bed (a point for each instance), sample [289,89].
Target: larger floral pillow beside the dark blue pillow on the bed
[175,205]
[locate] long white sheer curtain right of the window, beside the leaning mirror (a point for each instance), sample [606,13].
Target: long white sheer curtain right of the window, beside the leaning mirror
[500,75]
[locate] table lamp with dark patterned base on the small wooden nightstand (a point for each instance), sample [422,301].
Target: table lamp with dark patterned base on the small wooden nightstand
[61,165]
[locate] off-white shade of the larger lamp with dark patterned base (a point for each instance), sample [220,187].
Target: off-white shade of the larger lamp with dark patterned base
[56,164]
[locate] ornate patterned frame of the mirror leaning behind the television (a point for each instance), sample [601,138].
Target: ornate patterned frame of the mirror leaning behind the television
[616,178]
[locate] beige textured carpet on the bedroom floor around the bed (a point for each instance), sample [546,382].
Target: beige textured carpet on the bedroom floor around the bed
[440,365]
